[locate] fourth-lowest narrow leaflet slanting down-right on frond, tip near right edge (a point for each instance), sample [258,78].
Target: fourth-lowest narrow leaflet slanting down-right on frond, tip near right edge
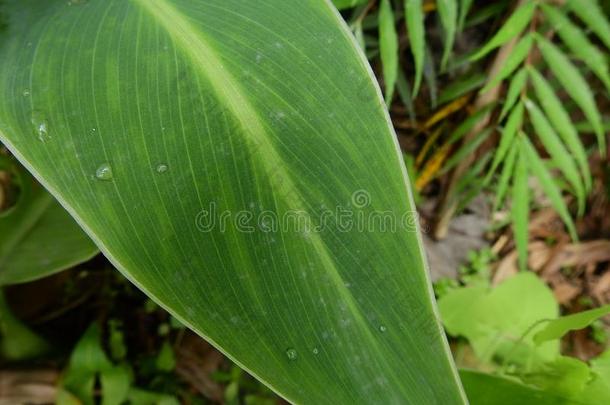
[575,85]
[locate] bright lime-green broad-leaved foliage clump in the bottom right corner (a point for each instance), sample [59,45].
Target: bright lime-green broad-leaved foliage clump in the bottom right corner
[514,330]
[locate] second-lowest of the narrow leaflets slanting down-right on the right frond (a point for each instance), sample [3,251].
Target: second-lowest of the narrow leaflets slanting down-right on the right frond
[561,157]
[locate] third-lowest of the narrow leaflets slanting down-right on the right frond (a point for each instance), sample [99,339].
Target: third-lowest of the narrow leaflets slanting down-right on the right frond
[562,123]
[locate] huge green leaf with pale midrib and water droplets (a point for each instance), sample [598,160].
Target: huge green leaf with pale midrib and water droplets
[211,149]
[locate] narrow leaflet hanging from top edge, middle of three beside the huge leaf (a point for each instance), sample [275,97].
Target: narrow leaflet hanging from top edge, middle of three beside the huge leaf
[414,17]
